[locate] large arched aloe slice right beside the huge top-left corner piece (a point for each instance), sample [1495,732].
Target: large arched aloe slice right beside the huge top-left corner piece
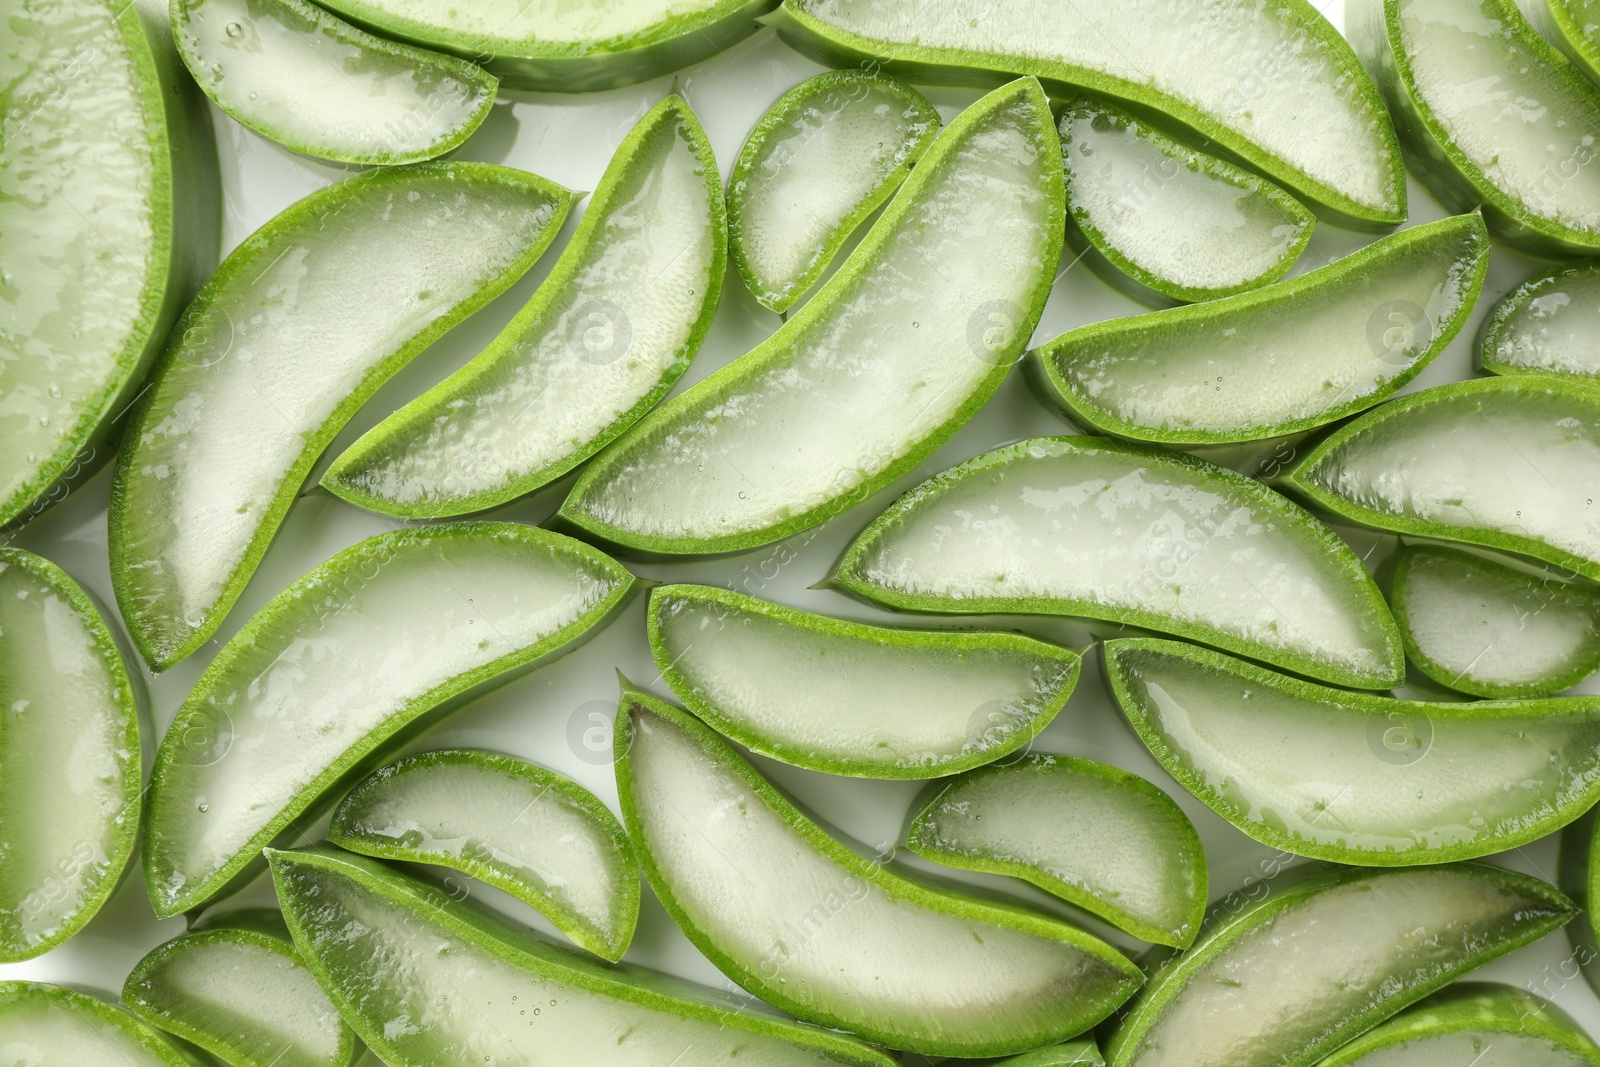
[294,334]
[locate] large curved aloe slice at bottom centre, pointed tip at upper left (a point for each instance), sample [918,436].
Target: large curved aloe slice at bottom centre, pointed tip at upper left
[810,927]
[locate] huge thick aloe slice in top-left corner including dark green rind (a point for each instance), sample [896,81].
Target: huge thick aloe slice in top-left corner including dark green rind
[110,206]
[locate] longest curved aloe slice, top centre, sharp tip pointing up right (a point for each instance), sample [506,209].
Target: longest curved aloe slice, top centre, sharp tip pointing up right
[902,346]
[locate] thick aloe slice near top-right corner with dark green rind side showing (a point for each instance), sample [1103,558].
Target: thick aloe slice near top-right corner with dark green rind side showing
[1490,116]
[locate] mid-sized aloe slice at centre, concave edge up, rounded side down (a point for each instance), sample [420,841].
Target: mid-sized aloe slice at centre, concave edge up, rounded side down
[849,698]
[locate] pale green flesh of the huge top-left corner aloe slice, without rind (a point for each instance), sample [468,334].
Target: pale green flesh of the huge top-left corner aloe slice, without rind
[84,260]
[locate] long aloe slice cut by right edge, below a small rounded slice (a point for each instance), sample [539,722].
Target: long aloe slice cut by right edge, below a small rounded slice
[1351,777]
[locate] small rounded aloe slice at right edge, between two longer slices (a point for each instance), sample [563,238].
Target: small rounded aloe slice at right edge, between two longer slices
[1482,628]
